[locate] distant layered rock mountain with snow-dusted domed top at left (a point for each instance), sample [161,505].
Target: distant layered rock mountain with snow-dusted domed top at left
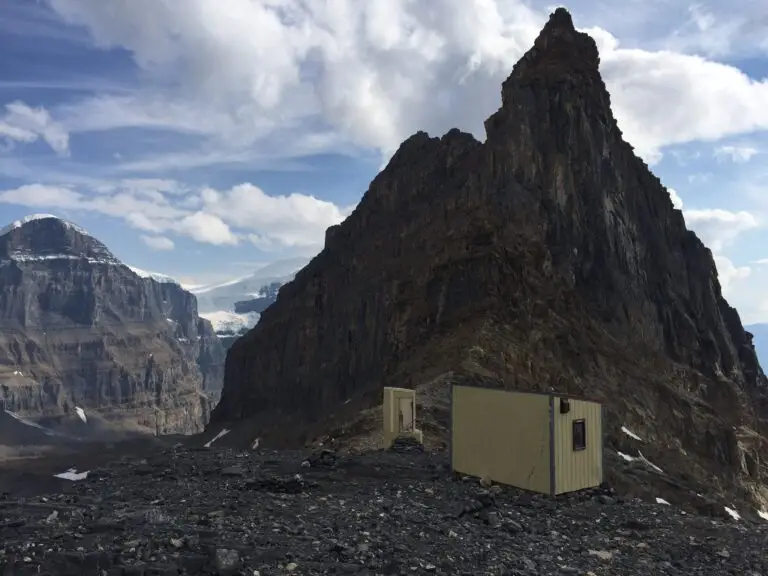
[80,329]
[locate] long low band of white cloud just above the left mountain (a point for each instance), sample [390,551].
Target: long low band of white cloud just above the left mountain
[158,207]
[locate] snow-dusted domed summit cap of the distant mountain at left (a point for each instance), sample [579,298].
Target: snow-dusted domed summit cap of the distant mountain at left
[47,237]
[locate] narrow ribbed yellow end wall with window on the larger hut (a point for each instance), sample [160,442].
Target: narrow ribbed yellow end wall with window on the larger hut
[577,470]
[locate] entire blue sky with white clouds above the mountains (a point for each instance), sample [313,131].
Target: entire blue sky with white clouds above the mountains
[200,141]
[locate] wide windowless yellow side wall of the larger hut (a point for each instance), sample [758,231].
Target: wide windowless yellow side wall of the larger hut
[501,435]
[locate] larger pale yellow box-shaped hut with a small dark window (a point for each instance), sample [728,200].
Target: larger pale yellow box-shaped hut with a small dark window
[547,443]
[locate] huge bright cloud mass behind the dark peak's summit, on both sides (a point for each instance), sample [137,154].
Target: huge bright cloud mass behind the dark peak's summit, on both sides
[374,72]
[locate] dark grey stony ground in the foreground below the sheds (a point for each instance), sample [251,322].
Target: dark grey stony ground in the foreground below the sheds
[175,510]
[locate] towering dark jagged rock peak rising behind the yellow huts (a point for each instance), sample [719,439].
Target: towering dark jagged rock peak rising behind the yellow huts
[548,257]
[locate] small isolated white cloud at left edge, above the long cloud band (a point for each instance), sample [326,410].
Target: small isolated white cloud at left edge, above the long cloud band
[22,123]
